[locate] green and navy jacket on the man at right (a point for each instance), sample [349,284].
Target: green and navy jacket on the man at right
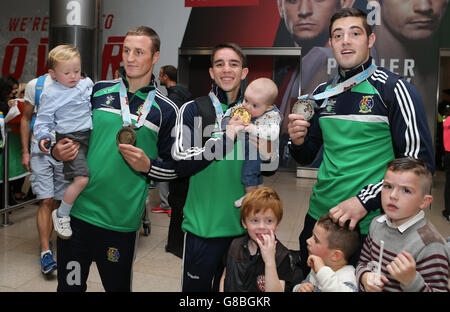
[362,129]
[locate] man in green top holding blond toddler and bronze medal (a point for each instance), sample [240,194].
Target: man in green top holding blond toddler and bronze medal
[107,215]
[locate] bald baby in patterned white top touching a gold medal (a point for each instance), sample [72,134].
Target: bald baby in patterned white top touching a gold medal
[259,98]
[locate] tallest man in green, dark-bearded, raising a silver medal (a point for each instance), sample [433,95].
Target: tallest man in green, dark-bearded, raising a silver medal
[366,117]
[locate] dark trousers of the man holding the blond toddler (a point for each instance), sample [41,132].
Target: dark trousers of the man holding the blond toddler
[112,251]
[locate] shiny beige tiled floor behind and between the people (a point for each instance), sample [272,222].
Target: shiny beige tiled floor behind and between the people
[154,269]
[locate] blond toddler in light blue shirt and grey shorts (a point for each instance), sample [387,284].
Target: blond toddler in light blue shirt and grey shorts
[65,107]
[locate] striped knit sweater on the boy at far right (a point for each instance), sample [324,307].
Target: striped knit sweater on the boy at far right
[421,240]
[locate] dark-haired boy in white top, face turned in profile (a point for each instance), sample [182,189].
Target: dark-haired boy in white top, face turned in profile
[330,247]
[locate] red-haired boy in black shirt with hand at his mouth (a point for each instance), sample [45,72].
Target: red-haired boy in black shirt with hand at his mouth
[257,261]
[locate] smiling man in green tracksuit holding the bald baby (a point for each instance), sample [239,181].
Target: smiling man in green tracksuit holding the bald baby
[210,219]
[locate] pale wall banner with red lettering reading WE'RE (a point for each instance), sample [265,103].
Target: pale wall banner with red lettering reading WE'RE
[25,26]
